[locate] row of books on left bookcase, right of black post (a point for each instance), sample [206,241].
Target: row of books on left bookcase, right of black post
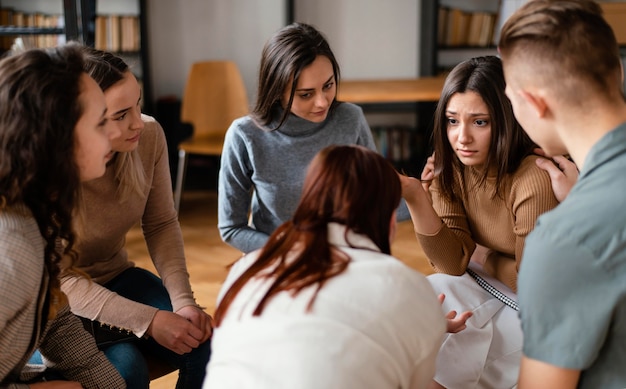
[117,33]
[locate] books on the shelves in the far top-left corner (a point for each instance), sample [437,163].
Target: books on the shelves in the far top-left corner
[10,17]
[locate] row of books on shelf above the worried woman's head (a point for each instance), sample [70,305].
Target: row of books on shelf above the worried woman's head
[459,27]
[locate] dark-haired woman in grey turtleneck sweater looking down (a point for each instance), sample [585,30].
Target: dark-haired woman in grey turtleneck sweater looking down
[266,153]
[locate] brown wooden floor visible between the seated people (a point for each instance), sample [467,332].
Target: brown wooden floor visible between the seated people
[208,257]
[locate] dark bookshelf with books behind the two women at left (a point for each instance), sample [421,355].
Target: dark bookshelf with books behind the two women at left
[46,23]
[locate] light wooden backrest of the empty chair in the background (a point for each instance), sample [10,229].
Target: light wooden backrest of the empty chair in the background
[214,96]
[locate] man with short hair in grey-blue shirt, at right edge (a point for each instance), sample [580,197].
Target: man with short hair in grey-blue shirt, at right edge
[564,79]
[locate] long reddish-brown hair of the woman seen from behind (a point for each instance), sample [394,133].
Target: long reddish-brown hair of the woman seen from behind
[350,185]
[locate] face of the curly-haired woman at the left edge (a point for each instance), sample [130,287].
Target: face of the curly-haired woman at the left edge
[92,134]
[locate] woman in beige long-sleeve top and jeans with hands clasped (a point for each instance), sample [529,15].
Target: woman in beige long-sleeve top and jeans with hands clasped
[136,187]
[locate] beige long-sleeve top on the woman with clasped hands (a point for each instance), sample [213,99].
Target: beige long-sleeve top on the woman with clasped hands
[101,248]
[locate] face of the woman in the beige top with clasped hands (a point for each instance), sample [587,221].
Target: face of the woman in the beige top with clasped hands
[123,100]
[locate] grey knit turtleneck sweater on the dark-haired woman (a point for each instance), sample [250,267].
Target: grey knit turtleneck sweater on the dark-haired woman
[263,171]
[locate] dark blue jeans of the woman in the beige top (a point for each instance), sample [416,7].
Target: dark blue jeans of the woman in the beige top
[142,286]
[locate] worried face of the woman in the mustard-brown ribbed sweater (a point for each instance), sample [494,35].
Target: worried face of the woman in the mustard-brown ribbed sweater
[469,127]
